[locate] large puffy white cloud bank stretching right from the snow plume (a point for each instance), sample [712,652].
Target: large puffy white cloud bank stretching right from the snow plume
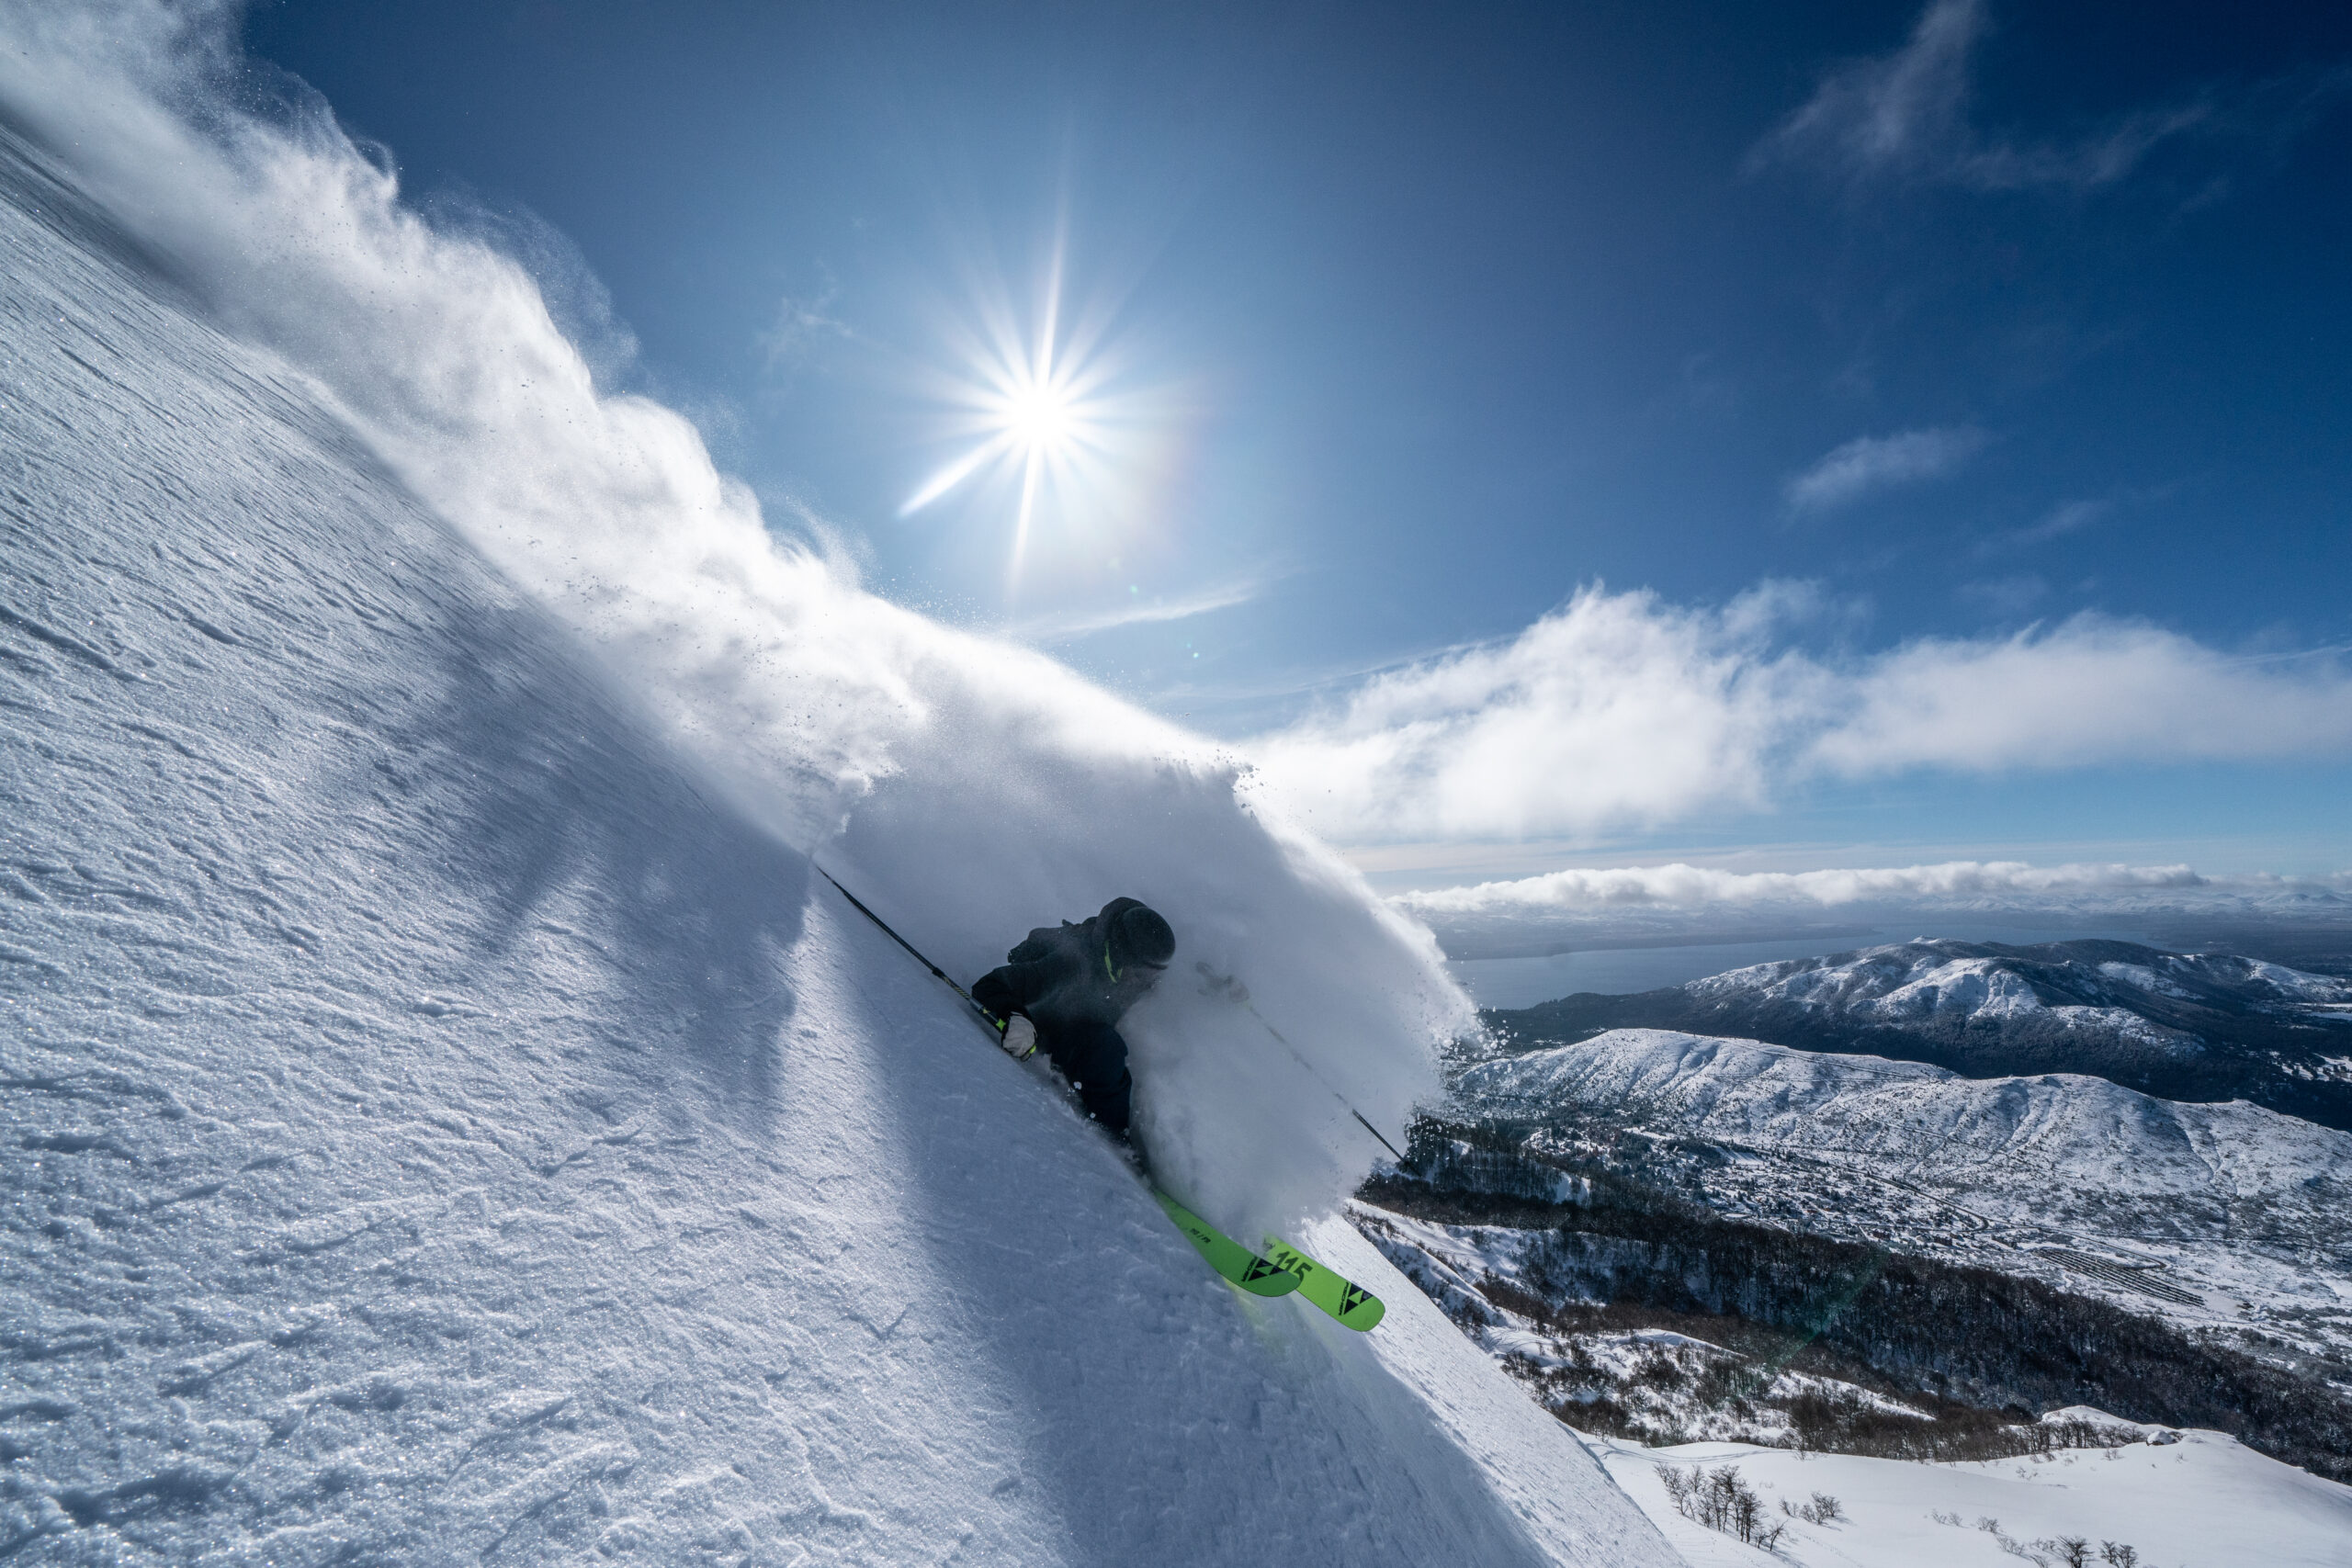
[1624,711]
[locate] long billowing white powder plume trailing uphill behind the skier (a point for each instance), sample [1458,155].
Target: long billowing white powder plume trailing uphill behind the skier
[965,789]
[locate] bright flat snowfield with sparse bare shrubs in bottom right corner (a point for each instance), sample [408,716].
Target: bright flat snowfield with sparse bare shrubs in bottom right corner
[2196,1503]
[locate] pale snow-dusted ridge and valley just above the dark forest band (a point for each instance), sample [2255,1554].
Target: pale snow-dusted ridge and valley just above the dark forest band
[2210,1214]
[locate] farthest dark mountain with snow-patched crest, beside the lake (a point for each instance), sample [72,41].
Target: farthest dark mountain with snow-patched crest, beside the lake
[2165,1024]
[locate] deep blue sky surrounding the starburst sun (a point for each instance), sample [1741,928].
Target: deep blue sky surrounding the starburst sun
[1845,340]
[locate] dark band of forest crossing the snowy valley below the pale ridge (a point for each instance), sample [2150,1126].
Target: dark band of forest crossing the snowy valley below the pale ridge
[1965,1339]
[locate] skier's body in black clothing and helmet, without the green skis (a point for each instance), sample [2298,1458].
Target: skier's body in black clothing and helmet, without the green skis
[1074,986]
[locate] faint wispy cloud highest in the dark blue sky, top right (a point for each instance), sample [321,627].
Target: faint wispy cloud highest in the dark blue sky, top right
[1904,116]
